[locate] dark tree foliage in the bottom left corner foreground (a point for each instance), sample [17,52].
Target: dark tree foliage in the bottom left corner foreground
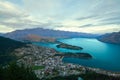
[13,71]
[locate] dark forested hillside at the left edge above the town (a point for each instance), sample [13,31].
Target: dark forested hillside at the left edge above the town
[6,47]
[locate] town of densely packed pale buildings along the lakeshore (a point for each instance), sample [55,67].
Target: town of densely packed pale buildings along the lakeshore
[46,65]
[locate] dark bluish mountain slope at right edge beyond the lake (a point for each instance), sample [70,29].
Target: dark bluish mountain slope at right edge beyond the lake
[110,38]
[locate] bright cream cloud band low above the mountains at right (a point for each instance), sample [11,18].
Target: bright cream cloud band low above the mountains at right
[94,29]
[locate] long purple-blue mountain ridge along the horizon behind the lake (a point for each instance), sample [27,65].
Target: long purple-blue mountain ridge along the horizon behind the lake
[21,34]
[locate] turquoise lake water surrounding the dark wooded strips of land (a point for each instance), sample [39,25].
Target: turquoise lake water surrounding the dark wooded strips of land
[105,56]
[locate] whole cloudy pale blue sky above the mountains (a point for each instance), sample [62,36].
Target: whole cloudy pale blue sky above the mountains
[89,16]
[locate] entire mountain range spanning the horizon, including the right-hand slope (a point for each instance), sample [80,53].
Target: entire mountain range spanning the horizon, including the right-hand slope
[48,35]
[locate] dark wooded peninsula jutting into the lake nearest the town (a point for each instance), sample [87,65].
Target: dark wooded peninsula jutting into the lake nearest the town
[75,55]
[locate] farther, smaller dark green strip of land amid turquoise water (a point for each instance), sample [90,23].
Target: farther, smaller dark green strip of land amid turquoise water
[67,46]
